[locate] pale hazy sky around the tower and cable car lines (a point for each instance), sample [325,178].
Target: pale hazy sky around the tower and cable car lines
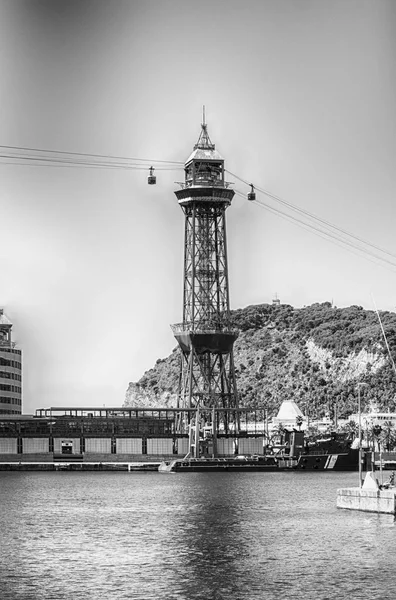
[300,99]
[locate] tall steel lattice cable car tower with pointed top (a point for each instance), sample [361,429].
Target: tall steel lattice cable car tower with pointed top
[205,336]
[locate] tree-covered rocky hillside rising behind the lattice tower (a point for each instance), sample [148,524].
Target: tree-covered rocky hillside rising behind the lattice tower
[314,355]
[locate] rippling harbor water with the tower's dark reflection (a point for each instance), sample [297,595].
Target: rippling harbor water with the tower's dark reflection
[209,536]
